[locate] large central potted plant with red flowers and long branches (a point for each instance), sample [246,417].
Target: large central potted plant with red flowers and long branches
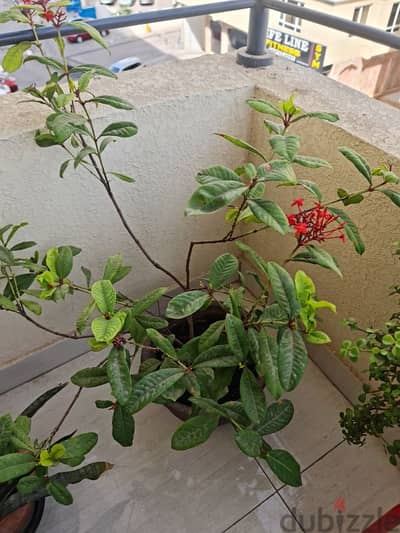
[209,355]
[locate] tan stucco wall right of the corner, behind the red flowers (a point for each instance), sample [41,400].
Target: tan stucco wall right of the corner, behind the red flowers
[371,128]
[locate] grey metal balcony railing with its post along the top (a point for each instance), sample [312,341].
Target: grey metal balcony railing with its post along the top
[255,53]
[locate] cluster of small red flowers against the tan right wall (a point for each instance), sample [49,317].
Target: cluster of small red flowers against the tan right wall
[315,224]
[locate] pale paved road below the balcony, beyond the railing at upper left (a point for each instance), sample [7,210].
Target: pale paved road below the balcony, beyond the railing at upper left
[161,43]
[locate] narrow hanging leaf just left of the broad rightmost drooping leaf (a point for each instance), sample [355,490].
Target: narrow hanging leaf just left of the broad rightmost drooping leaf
[268,367]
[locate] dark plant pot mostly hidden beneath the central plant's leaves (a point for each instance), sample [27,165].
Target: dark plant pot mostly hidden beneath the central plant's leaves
[201,321]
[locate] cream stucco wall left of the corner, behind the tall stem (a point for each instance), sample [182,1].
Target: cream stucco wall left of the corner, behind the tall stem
[179,106]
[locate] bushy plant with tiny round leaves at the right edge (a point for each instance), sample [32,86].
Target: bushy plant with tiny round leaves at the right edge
[378,407]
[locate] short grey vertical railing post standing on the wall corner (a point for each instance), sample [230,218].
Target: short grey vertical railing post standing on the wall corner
[255,53]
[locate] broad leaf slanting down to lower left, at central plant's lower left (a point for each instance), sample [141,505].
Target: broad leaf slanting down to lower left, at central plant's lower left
[151,386]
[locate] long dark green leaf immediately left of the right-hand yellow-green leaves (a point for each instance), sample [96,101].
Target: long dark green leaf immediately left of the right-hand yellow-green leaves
[283,289]
